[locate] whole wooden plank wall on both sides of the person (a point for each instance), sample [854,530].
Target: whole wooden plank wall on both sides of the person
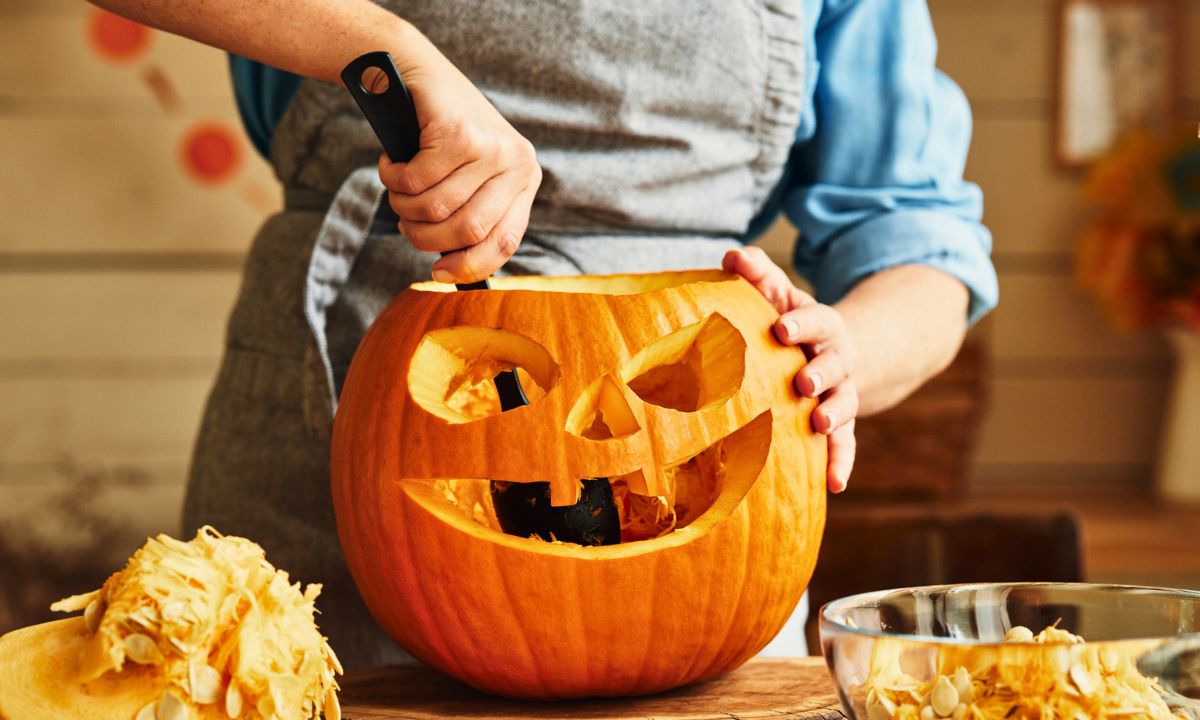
[117,273]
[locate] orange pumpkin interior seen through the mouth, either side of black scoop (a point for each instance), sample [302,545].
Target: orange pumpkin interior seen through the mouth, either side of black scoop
[695,487]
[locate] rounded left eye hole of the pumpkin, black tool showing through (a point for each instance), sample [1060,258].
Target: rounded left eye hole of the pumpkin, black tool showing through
[453,370]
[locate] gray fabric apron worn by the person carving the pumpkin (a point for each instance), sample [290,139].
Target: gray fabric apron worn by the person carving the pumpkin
[662,129]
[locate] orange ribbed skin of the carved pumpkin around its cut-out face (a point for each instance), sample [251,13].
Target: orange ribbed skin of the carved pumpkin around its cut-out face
[535,620]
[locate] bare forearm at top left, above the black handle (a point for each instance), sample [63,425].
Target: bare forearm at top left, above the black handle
[315,39]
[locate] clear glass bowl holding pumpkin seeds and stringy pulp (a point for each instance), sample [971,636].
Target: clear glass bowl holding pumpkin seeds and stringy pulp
[940,652]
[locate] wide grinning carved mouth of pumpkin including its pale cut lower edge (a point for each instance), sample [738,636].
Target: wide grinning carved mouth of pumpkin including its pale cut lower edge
[703,491]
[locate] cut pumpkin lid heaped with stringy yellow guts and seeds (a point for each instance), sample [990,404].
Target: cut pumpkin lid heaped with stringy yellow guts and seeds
[202,629]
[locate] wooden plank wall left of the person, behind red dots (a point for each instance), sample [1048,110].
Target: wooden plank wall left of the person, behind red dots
[117,272]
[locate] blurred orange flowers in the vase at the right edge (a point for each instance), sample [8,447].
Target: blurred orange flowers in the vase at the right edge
[1139,256]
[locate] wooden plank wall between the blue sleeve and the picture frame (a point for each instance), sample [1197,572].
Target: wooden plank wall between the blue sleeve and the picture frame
[1072,401]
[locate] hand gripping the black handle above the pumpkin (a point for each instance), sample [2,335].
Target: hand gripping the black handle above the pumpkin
[469,190]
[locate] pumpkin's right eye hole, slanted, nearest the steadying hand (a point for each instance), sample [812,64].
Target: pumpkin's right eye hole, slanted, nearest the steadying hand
[693,369]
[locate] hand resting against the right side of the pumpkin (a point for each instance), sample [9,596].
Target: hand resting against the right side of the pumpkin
[820,332]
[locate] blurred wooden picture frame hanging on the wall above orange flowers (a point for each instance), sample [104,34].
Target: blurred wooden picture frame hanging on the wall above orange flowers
[1118,71]
